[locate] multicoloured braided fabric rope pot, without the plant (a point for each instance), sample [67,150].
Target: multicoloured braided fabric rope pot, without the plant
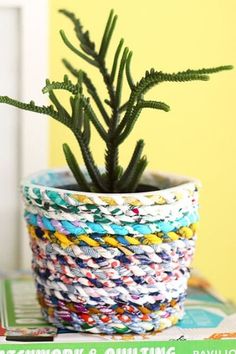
[111,263]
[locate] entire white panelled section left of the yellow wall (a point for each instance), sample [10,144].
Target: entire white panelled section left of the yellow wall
[23,135]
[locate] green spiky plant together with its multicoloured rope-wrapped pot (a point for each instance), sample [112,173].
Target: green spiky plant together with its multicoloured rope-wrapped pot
[111,246]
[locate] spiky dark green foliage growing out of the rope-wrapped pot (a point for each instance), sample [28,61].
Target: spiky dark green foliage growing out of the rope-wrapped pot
[118,115]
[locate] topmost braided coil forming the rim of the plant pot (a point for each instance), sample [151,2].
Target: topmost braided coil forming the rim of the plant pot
[42,187]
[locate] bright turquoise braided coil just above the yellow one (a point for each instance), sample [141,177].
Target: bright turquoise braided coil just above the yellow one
[75,228]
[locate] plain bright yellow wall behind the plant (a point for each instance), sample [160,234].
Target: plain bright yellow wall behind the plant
[198,136]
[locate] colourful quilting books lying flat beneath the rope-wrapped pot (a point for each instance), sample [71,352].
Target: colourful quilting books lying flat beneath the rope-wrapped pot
[208,327]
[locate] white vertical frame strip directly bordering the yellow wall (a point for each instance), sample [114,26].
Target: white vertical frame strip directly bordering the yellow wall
[33,139]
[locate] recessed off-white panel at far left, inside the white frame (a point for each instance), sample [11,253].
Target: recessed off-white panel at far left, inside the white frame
[9,137]
